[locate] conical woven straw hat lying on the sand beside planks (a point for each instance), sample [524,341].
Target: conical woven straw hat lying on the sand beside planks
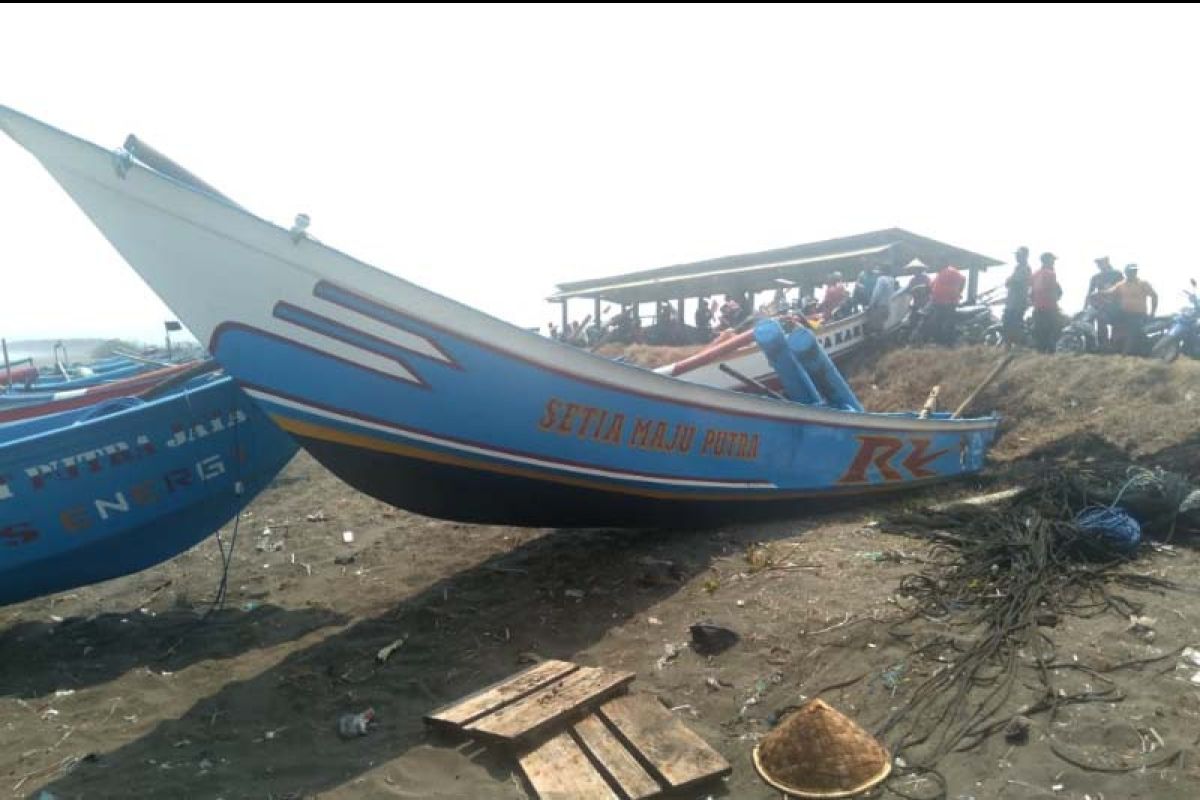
[819,753]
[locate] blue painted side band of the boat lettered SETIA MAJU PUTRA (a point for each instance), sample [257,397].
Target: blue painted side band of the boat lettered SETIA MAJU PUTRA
[460,410]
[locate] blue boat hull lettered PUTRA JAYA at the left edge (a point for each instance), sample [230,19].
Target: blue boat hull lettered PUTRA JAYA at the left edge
[113,489]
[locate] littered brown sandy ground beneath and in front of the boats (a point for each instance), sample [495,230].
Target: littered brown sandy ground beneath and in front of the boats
[122,691]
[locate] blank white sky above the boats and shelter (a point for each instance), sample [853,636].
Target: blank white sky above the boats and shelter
[489,153]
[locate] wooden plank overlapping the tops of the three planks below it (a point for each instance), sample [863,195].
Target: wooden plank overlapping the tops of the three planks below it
[553,705]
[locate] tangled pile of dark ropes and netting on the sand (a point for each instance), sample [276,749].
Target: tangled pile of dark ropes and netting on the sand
[997,582]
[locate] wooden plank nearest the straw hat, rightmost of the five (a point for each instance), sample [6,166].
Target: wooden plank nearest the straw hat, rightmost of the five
[679,755]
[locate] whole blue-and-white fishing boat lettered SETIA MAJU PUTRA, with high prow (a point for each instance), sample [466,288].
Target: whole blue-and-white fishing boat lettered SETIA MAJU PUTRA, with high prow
[435,407]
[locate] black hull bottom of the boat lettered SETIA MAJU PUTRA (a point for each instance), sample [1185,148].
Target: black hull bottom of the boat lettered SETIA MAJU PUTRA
[465,495]
